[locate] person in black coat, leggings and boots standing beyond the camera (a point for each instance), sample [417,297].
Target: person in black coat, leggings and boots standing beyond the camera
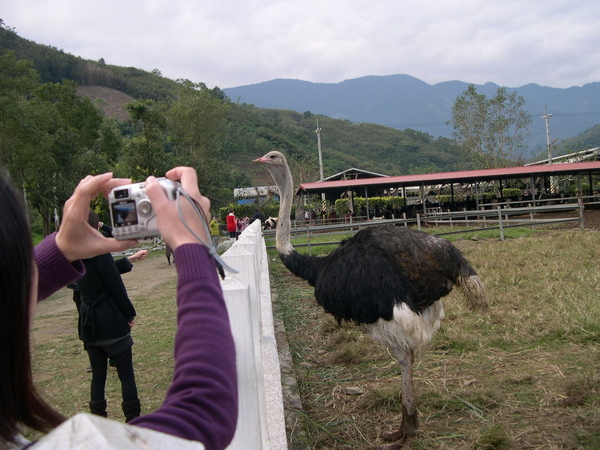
[106,317]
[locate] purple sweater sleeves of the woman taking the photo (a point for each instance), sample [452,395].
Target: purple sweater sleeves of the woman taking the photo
[201,403]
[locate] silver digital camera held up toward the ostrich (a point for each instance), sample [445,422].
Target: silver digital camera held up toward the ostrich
[131,212]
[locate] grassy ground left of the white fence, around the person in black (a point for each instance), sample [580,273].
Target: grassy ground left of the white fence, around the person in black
[59,361]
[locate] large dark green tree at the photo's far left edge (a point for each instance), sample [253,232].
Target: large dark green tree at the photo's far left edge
[47,136]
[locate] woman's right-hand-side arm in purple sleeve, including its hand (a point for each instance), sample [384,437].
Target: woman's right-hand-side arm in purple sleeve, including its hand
[201,403]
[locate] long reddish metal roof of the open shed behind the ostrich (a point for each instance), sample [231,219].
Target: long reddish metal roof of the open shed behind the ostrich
[466,176]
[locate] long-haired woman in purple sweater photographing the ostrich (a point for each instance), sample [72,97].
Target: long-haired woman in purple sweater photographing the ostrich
[201,402]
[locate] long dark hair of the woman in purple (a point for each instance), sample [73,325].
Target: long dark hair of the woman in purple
[20,404]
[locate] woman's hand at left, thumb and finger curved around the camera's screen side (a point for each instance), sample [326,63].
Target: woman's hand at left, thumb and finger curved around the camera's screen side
[76,238]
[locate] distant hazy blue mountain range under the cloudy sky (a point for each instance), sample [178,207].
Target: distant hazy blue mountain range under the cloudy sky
[402,101]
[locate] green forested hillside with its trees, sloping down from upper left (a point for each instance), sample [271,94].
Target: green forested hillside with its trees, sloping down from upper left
[65,117]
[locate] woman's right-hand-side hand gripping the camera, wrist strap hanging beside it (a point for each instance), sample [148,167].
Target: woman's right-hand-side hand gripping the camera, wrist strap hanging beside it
[171,228]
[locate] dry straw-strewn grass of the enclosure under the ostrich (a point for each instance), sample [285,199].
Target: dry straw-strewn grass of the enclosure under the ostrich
[526,375]
